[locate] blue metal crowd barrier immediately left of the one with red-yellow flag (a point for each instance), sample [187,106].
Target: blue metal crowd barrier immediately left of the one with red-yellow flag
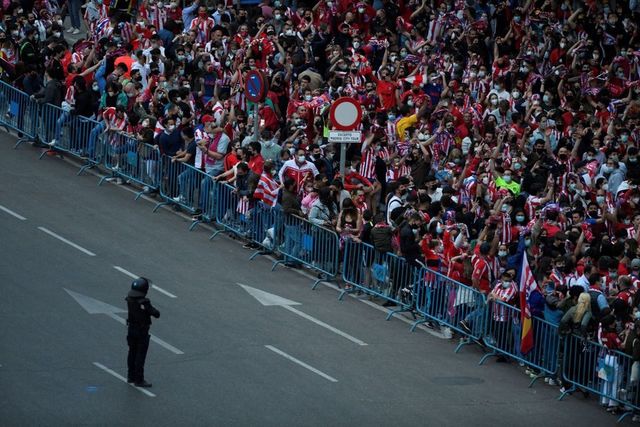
[447,302]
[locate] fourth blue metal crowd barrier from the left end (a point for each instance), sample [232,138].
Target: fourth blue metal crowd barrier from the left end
[179,185]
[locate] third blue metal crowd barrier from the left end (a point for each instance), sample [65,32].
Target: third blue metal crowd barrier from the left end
[127,158]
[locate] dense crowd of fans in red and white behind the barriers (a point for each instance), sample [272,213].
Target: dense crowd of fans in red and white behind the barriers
[491,129]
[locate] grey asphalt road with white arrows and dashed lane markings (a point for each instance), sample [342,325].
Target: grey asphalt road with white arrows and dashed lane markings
[228,358]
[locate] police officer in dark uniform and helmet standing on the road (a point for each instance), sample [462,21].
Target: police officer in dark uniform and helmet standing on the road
[138,322]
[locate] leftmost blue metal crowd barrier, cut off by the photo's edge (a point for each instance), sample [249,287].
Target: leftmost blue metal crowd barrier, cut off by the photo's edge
[18,112]
